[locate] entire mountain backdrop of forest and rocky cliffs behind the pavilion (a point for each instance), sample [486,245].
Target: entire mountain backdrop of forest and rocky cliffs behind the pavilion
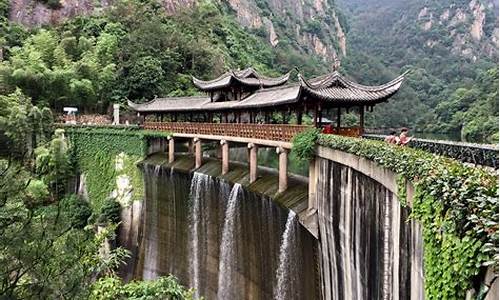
[90,55]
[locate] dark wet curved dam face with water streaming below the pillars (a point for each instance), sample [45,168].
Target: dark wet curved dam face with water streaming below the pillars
[217,238]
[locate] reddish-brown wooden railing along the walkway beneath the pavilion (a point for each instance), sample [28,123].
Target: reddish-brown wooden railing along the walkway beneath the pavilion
[274,132]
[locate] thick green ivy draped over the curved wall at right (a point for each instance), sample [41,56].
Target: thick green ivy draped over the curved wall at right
[456,204]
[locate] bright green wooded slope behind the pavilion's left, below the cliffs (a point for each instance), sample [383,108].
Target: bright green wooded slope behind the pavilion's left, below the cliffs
[134,50]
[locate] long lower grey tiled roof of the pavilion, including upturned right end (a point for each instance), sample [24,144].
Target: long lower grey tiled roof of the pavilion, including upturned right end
[332,89]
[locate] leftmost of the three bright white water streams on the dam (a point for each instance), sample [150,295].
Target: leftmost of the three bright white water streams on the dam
[198,187]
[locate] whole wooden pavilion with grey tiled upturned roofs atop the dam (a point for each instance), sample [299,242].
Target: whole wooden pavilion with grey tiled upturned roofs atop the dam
[249,97]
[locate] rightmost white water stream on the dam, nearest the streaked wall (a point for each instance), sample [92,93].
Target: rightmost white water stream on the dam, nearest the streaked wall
[283,273]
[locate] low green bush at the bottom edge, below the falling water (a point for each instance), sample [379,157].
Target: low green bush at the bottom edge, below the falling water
[162,288]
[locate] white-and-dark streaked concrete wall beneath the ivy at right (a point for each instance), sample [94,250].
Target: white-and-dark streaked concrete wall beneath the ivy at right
[368,248]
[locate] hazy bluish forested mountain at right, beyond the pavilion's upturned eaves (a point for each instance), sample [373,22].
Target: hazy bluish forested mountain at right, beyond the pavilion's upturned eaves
[451,49]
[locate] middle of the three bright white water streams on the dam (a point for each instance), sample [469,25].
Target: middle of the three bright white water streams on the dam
[227,246]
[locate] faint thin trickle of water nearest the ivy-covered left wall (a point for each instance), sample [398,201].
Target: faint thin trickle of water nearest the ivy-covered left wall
[151,257]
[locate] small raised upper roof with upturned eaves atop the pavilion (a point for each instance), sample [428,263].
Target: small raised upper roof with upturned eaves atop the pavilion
[248,77]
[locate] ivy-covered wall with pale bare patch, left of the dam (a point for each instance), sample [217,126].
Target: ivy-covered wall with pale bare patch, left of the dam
[105,155]
